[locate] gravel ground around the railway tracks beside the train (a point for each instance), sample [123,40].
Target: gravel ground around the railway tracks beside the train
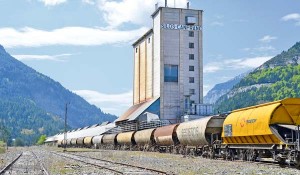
[171,163]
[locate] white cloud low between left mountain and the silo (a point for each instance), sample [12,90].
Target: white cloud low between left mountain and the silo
[112,103]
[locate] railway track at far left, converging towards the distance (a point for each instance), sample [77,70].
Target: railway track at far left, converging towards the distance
[25,163]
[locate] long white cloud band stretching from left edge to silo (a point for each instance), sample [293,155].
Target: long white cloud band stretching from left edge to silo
[76,36]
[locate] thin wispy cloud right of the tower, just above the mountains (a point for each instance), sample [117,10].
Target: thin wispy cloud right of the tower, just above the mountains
[234,64]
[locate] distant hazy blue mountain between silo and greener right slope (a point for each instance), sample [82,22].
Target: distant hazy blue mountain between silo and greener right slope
[222,88]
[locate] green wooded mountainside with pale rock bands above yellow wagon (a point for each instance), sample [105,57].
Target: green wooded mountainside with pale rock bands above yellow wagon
[276,79]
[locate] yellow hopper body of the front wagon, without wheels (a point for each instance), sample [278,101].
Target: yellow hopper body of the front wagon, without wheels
[260,124]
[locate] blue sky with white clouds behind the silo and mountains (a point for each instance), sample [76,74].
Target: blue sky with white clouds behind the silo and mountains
[86,44]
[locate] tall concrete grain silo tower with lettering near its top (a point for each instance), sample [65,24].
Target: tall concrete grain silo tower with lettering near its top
[168,67]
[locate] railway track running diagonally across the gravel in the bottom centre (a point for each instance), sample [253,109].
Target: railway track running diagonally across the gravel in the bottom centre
[115,167]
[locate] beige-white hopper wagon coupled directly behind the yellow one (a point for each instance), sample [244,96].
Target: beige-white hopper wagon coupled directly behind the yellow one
[198,136]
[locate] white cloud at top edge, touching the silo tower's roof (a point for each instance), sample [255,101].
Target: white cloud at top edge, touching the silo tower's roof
[131,11]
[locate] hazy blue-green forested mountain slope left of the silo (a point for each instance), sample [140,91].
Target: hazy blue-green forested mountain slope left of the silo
[33,103]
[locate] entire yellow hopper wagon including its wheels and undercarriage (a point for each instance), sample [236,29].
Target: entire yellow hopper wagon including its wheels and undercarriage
[268,130]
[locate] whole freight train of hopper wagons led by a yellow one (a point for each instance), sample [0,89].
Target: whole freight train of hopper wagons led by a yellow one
[265,131]
